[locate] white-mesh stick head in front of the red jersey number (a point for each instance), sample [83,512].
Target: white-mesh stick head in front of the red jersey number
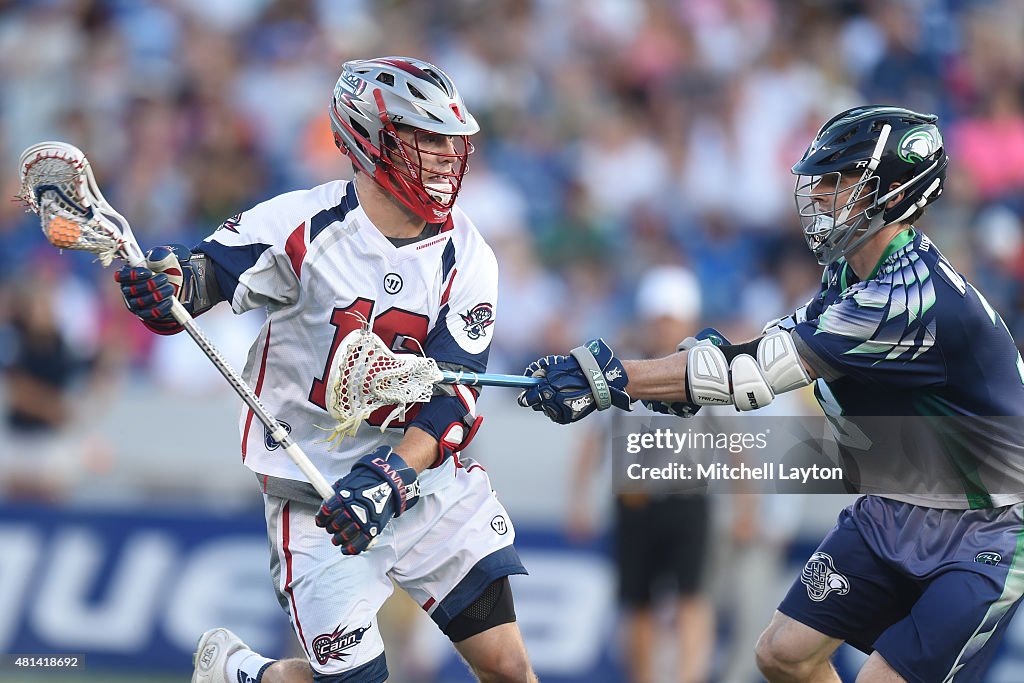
[366,376]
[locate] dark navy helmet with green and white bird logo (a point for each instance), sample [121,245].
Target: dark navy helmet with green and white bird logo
[859,163]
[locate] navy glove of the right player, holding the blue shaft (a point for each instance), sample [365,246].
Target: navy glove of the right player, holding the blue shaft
[591,378]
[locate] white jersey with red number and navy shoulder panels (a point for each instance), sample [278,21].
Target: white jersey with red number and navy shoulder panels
[312,259]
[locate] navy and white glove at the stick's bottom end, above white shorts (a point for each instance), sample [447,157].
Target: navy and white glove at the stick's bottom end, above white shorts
[381,486]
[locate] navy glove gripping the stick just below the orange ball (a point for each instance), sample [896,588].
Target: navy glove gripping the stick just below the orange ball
[148,291]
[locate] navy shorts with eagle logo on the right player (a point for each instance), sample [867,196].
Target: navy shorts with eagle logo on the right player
[931,590]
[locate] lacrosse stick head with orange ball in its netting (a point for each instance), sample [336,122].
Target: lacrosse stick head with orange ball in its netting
[58,186]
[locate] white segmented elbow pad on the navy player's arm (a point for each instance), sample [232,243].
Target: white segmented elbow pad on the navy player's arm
[720,376]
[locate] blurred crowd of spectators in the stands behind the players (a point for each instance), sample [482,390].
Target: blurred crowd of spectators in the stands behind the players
[618,136]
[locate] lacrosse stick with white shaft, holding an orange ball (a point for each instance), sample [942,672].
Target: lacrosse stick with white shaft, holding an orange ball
[59,186]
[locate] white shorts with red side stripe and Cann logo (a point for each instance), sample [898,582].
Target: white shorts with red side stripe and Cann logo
[444,552]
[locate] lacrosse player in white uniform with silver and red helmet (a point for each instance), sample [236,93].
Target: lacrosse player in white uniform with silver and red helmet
[390,248]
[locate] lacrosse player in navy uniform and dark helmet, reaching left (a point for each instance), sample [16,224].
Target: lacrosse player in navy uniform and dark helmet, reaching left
[924,578]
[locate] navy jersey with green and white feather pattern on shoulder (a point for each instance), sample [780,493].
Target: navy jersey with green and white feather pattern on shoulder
[917,339]
